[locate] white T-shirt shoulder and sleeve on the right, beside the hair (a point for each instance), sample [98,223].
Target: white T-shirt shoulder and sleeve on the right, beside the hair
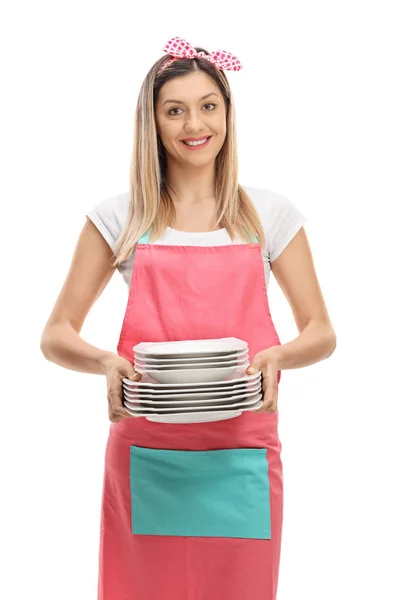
[281,218]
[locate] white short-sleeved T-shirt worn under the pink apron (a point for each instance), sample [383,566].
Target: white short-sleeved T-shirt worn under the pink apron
[280,218]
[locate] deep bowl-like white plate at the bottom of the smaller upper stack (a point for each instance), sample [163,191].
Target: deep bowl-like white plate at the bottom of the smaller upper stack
[193,375]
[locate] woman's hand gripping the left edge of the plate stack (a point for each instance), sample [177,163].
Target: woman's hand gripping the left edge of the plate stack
[115,369]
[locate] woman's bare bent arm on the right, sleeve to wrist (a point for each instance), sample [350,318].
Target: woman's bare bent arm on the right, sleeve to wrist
[295,273]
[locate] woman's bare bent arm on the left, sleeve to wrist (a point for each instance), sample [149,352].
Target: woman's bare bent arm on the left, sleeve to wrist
[89,273]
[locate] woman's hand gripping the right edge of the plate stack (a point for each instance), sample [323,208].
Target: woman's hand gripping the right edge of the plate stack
[266,361]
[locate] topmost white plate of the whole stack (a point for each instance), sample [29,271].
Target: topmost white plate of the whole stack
[190,348]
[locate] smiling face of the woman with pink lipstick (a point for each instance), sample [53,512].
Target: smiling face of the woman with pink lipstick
[191,106]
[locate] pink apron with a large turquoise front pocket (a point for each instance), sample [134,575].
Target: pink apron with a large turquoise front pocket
[193,511]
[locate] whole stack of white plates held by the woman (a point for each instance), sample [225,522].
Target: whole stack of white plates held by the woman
[192,381]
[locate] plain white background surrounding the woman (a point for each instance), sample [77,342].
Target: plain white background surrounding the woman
[318,121]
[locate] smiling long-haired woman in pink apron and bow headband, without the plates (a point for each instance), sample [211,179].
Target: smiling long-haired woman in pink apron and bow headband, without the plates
[190,243]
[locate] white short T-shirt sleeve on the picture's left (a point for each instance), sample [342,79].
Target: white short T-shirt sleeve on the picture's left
[109,215]
